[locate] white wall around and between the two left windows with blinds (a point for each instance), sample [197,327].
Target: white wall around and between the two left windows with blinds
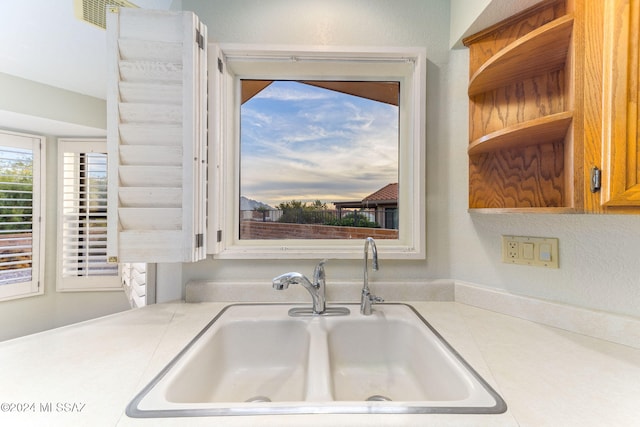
[51,108]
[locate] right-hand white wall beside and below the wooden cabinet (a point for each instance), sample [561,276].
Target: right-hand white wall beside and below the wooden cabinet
[599,254]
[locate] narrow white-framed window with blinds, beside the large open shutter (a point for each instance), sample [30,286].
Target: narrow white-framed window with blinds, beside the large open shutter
[82,217]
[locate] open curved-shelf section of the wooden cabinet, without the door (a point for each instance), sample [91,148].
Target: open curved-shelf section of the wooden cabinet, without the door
[522,94]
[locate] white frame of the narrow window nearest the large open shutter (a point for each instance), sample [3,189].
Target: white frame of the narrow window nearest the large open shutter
[66,283]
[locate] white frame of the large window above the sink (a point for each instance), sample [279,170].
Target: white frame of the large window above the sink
[407,65]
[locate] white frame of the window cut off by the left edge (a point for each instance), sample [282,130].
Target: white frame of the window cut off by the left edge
[36,285]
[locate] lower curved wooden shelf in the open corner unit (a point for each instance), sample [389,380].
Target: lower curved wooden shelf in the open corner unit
[538,131]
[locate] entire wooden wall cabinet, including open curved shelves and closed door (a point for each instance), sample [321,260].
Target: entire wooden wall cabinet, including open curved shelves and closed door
[553,96]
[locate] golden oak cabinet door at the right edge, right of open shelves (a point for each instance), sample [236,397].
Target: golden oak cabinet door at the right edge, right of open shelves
[621,144]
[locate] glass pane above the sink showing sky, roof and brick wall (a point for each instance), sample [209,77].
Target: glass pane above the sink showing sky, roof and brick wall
[314,156]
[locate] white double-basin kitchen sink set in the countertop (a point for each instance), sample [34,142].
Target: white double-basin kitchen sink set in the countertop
[255,359]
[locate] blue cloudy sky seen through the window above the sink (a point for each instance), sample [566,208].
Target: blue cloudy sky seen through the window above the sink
[307,143]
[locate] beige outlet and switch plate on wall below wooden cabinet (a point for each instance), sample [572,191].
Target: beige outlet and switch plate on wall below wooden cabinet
[535,251]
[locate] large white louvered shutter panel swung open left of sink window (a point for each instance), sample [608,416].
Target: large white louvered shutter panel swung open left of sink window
[156,108]
